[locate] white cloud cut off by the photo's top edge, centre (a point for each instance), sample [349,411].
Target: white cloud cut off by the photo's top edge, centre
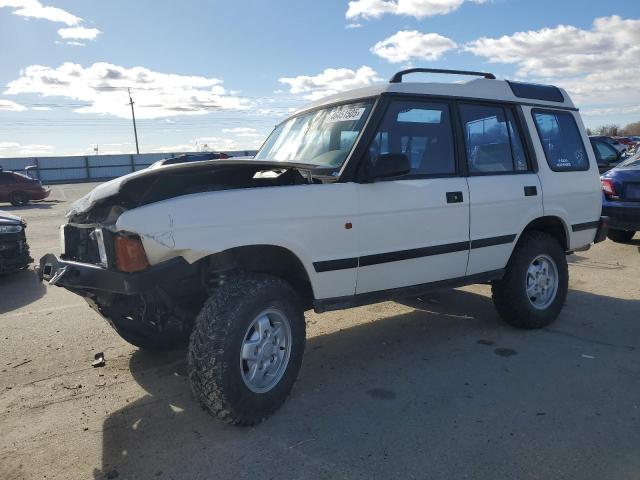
[414,8]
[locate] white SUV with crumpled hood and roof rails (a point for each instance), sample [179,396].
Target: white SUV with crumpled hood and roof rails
[369,195]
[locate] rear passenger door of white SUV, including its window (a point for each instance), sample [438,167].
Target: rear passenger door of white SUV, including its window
[504,191]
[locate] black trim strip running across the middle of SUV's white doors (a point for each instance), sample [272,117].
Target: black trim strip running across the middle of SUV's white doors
[379,258]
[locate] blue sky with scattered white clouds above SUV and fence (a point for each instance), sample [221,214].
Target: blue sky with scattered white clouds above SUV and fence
[224,73]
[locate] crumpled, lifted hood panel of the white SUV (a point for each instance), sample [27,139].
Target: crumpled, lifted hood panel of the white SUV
[115,186]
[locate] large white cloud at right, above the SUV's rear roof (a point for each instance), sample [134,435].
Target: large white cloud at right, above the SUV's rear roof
[597,66]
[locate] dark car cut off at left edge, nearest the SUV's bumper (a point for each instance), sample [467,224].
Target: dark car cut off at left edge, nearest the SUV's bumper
[14,250]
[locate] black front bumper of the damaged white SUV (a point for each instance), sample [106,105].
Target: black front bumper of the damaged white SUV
[84,276]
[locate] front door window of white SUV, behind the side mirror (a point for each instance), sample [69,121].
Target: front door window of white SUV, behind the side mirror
[421,131]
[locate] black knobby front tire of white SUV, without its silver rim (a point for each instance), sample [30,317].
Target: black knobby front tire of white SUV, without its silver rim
[214,350]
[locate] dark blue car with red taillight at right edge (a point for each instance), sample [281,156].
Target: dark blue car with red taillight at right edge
[621,199]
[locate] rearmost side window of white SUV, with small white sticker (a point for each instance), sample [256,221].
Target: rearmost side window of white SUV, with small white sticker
[561,141]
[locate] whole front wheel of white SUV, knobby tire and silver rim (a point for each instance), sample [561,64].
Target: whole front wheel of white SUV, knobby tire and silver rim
[246,348]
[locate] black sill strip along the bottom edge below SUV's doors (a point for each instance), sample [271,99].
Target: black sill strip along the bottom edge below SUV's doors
[339,303]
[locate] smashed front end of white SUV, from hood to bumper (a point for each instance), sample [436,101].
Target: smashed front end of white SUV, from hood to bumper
[150,304]
